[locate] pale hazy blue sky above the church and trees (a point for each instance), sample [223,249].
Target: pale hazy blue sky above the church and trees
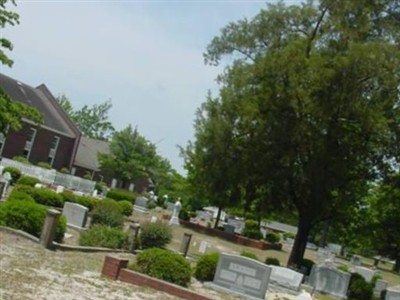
[146,56]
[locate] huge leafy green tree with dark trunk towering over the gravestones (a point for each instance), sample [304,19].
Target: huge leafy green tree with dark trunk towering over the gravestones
[315,93]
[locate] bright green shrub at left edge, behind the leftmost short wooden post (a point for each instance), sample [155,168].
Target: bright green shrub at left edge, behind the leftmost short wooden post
[29,217]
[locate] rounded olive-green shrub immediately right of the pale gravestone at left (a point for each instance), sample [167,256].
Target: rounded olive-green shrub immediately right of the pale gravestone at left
[108,213]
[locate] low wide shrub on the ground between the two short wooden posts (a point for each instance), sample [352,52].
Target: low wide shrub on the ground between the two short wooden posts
[104,236]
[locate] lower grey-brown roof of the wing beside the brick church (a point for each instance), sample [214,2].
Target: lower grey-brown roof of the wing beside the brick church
[88,149]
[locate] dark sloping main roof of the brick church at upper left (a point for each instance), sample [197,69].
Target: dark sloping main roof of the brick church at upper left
[54,117]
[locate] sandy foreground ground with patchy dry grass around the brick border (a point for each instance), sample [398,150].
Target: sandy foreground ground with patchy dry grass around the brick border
[28,271]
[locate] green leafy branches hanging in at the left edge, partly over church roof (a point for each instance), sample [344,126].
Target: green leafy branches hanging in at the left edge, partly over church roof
[11,112]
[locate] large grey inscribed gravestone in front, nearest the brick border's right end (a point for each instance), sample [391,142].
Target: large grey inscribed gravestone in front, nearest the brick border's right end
[241,275]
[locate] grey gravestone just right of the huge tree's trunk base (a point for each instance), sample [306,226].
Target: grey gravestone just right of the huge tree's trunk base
[329,280]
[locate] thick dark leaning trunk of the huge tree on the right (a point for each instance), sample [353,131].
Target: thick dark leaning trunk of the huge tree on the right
[300,242]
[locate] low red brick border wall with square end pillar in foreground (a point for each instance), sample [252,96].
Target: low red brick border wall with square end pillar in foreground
[116,268]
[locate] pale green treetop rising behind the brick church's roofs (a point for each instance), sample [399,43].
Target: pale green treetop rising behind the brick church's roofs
[92,121]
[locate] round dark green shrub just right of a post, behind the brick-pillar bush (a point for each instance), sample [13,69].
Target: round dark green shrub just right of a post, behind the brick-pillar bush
[155,234]
